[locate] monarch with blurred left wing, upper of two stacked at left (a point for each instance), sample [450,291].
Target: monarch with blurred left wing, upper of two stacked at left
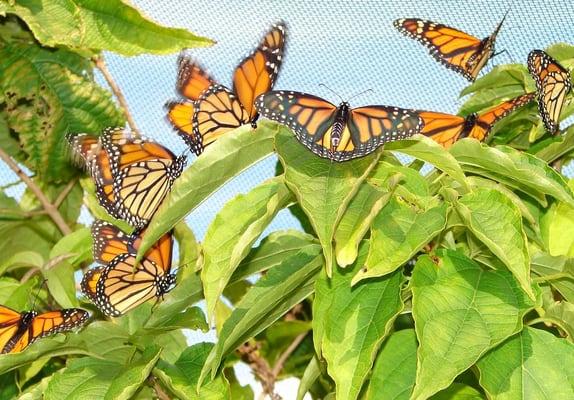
[132,175]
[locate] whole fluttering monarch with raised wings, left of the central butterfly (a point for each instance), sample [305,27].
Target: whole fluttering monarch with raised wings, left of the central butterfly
[210,109]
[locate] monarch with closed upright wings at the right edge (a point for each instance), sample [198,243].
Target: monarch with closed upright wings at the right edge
[552,86]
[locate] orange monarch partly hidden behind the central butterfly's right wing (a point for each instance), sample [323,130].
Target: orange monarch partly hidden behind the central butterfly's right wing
[447,129]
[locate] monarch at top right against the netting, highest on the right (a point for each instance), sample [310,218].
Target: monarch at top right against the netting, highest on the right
[455,49]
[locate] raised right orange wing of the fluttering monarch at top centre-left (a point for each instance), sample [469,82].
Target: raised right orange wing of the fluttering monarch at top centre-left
[257,73]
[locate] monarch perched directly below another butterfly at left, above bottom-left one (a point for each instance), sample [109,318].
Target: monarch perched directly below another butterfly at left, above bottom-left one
[116,286]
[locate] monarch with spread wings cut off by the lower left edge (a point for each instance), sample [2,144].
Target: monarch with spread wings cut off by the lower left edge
[18,330]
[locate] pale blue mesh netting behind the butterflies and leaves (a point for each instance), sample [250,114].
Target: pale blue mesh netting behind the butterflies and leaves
[349,46]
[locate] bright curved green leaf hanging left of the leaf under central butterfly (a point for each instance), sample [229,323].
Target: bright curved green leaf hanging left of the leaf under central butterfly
[232,233]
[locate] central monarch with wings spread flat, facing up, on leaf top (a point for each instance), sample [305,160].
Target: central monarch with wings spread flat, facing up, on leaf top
[338,133]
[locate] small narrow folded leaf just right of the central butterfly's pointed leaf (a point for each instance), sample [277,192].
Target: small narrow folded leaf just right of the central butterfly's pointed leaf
[356,221]
